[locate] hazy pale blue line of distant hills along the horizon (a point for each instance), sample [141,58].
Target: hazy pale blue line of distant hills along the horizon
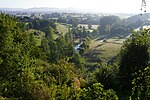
[62,10]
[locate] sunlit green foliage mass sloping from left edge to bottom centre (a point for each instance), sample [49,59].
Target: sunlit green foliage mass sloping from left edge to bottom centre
[45,71]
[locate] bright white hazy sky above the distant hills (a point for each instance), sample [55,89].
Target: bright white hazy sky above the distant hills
[120,6]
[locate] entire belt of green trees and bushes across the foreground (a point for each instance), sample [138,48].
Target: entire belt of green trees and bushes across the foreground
[52,69]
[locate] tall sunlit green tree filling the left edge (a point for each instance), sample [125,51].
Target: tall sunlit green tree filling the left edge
[17,60]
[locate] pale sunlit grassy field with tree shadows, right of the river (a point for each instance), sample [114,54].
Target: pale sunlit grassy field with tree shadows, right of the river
[105,49]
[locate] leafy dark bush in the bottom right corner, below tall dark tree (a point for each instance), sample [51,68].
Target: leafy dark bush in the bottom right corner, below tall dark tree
[141,85]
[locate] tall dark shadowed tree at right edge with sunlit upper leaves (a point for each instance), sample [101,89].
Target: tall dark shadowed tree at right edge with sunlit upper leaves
[134,57]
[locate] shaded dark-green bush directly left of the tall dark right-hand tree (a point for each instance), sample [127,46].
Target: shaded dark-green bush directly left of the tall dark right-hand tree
[108,76]
